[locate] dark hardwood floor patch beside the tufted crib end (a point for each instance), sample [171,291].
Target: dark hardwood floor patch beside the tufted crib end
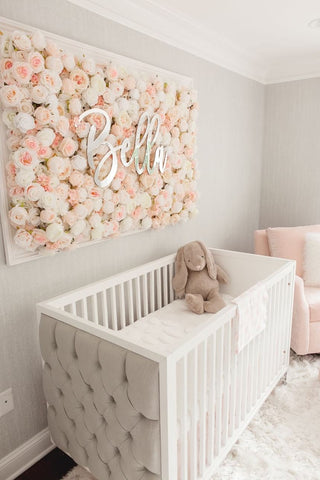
[52,467]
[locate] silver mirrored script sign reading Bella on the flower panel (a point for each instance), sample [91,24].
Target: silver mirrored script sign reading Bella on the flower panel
[150,125]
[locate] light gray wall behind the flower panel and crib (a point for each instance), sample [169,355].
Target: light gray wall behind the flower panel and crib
[230,150]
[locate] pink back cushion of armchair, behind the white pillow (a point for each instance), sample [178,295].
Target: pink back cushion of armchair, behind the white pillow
[288,242]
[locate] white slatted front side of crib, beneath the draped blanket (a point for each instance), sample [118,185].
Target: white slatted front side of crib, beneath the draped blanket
[218,390]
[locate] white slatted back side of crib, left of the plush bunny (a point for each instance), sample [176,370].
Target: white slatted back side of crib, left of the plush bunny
[123,299]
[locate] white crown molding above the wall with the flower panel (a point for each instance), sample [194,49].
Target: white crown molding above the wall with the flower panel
[169,26]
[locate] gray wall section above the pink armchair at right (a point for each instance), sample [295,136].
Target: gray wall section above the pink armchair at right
[291,165]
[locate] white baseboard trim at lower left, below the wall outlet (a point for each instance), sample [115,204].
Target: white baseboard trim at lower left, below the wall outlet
[26,455]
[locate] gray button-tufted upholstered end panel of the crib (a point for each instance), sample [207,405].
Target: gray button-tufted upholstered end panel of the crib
[103,403]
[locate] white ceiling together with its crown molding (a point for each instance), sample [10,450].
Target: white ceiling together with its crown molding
[268,40]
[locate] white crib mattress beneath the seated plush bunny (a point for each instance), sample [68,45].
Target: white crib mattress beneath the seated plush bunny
[167,328]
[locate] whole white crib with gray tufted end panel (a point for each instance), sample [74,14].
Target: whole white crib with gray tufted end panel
[195,394]
